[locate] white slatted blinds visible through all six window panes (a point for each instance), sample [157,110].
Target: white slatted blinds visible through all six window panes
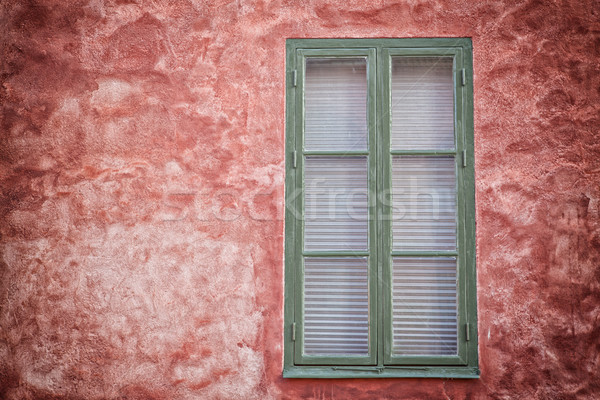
[335,289]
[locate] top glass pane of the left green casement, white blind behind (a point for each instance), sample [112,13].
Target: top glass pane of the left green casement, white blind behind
[335,104]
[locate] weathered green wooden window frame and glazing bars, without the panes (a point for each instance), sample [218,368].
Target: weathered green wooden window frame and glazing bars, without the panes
[380,363]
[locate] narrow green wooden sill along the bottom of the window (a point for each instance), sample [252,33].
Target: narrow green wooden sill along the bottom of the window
[330,372]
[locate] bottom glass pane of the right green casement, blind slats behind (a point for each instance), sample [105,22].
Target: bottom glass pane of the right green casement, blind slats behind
[424,306]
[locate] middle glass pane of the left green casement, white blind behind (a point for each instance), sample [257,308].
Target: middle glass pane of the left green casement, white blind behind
[336,204]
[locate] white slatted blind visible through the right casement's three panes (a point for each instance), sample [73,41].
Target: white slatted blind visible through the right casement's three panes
[424,290]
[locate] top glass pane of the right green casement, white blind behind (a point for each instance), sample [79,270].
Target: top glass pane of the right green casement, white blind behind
[422,103]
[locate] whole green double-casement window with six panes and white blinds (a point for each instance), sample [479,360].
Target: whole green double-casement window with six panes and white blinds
[380,209]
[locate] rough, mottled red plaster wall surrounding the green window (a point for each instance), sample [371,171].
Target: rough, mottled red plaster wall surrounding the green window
[142,170]
